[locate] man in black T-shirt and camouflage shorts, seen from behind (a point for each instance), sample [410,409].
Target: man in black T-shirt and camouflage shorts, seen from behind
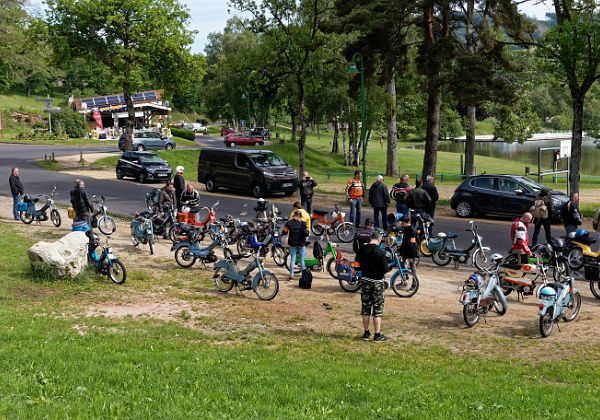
[373,265]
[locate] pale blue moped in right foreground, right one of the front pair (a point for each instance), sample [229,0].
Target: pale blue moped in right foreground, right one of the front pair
[558,301]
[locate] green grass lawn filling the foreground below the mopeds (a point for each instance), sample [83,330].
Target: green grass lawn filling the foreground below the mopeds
[58,363]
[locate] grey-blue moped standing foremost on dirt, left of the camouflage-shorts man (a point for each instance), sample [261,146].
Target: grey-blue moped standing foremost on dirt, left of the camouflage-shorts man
[227,274]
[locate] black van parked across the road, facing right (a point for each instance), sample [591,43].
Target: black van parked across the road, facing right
[258,171]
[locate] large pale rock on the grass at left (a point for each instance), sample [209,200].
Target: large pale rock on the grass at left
[62,259]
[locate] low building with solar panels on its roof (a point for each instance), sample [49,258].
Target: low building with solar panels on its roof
[110,111]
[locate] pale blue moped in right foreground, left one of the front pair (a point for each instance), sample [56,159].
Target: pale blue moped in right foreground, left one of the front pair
[479,298]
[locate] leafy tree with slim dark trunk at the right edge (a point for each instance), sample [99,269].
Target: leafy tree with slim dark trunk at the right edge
[572,50]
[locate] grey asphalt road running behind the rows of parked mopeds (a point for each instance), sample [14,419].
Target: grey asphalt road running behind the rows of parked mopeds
[127,197]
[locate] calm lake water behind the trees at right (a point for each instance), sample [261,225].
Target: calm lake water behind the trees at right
[528,153]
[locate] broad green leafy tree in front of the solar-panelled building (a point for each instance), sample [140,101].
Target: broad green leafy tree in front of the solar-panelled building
[140,41]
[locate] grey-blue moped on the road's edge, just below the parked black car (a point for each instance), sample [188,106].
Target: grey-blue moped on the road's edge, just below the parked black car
[445,250]
